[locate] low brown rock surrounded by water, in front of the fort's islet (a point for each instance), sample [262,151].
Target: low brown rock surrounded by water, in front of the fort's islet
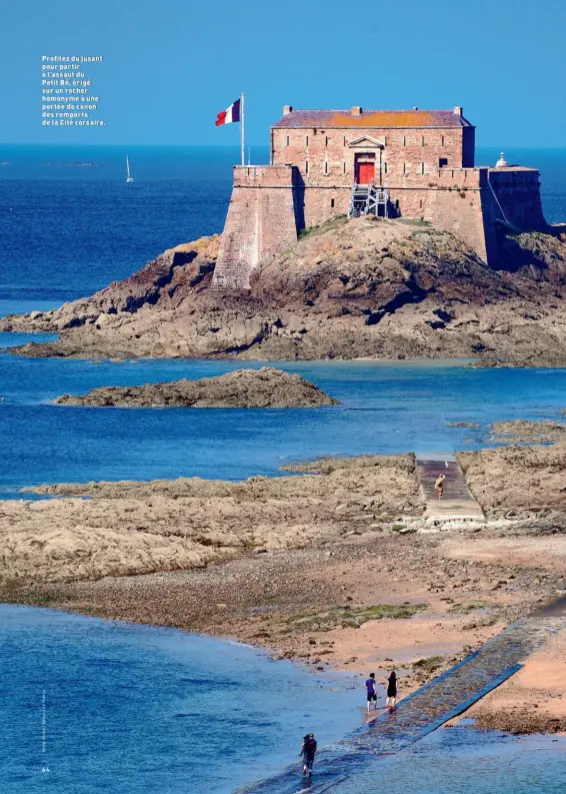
[244,388]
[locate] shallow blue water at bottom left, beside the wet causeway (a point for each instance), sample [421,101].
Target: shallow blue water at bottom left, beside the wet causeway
[142,709]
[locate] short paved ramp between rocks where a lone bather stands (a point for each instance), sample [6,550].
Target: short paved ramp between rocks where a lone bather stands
[457,502]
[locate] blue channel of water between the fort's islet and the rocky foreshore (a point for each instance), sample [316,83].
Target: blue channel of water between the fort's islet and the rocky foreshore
[386,408]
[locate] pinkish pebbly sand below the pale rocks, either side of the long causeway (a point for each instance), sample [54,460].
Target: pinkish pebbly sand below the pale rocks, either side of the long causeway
[365,604]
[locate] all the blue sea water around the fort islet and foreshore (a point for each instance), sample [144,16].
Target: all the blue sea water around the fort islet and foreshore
[89,705]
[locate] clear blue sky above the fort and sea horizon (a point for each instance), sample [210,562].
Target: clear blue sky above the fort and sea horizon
[171,65]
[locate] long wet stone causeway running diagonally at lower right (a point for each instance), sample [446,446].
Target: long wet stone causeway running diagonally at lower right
[426,709]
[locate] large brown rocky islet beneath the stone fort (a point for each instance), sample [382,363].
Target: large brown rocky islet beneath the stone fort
[375,288]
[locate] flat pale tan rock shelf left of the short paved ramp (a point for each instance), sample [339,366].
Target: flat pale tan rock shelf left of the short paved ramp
[125,527]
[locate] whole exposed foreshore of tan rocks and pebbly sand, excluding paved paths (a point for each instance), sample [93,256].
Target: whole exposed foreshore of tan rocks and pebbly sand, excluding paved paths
[316,566]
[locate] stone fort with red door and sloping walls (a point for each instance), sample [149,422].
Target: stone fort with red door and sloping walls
[415,163]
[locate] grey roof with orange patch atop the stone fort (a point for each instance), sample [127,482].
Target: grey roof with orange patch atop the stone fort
[357,117]
